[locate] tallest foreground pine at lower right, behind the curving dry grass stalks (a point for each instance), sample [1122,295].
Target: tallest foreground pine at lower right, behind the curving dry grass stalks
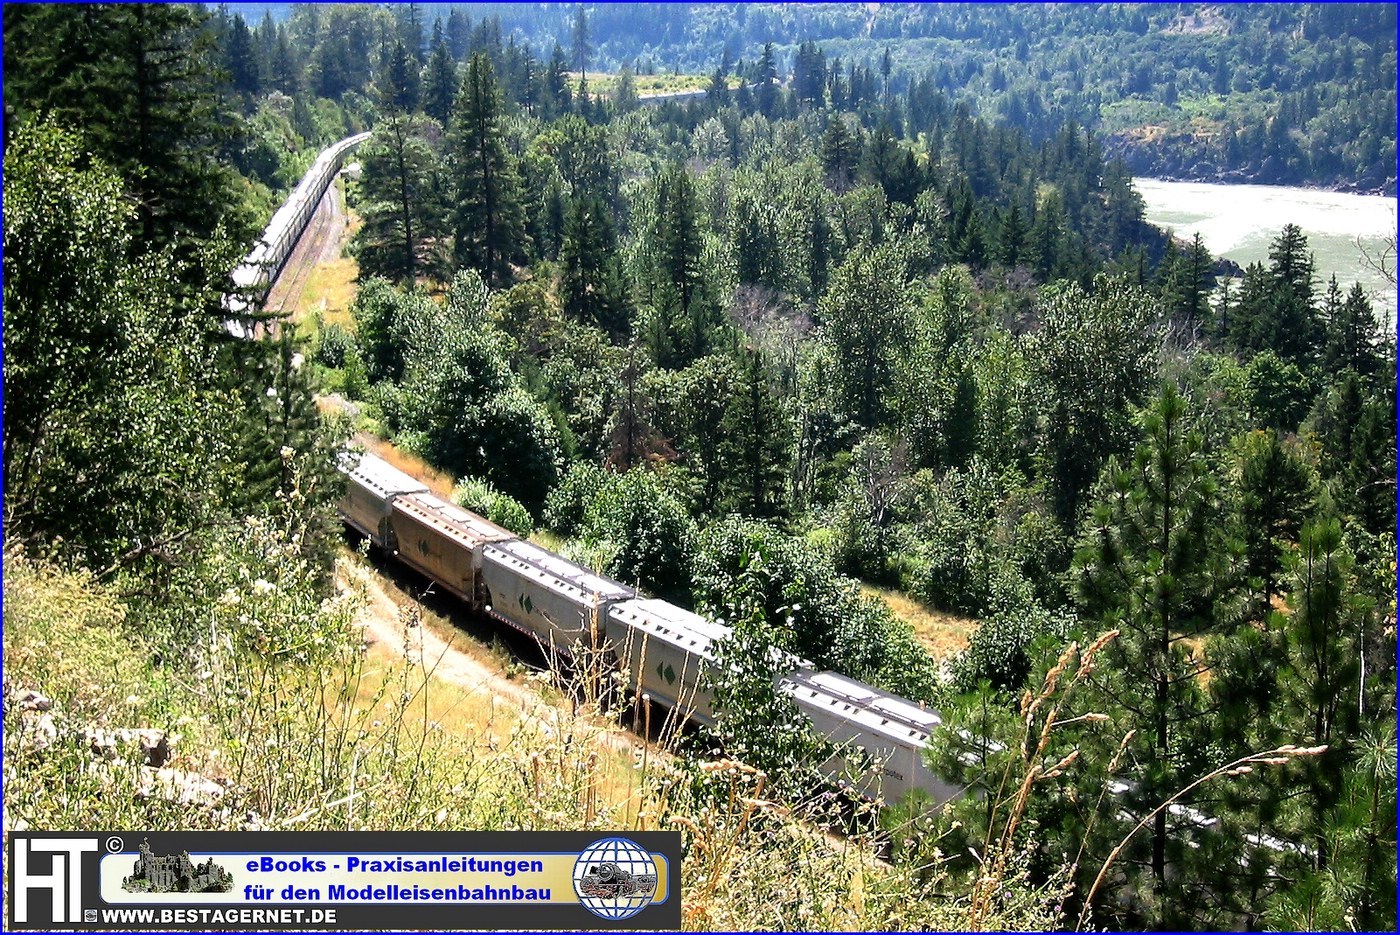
[1144,569]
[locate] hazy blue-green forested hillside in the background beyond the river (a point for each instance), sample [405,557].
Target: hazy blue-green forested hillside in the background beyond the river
[1298,94]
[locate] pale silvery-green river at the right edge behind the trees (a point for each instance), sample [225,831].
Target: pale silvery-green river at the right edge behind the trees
[1238,222]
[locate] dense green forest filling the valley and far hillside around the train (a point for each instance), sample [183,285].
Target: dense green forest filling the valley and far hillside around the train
[848,318]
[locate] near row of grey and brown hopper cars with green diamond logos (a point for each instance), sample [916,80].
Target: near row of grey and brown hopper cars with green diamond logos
[663,650]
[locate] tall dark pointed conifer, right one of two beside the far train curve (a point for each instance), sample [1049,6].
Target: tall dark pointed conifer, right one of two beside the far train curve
[491,222]
